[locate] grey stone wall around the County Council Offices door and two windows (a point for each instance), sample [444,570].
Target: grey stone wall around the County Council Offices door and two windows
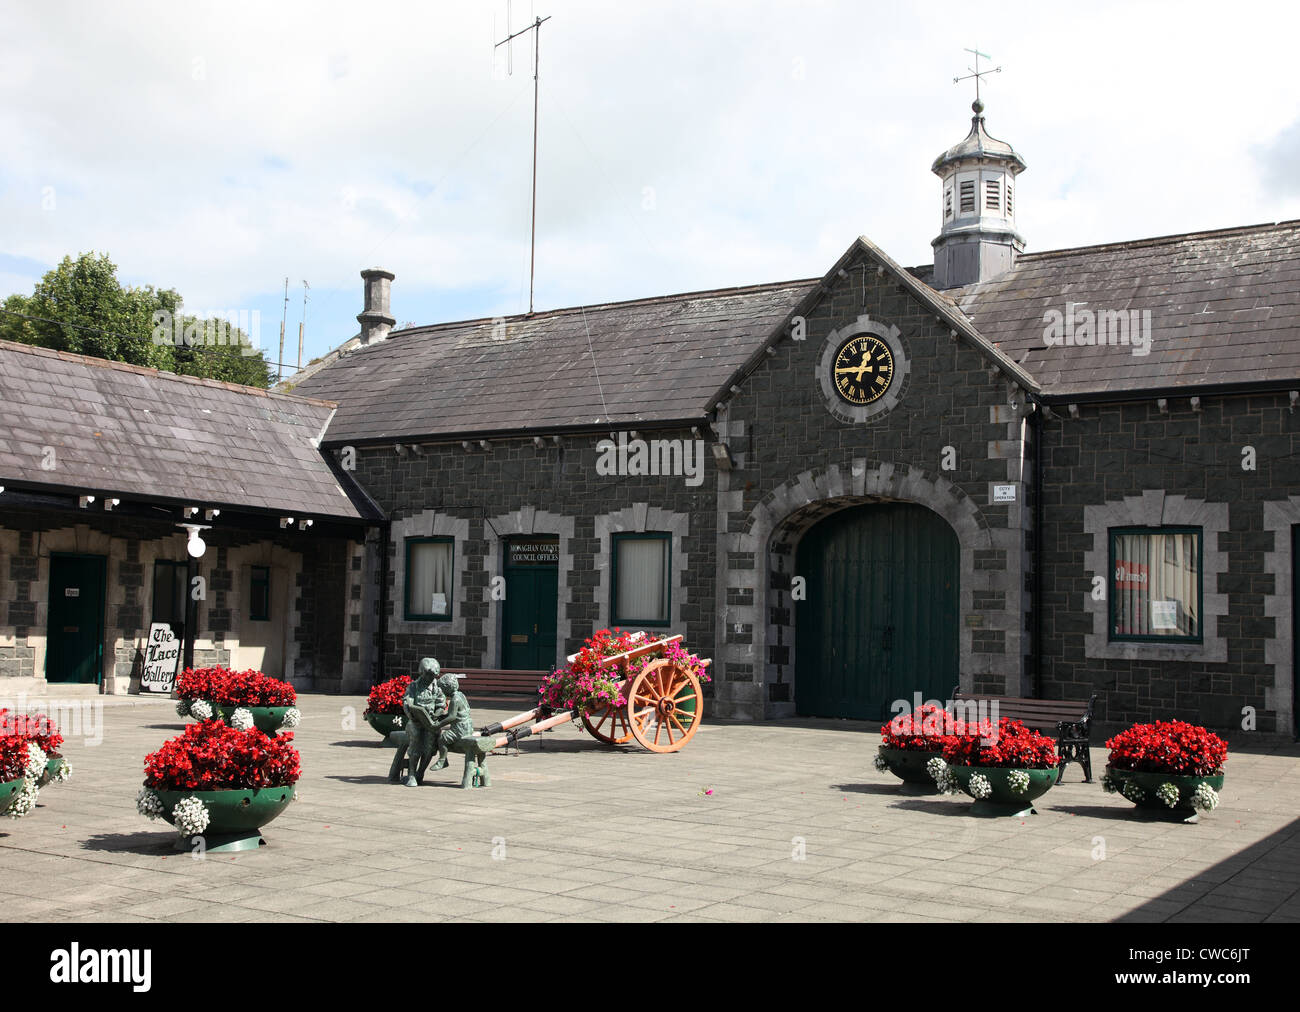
[518,487]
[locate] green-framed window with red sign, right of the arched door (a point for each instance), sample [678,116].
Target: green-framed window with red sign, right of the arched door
[1156,585]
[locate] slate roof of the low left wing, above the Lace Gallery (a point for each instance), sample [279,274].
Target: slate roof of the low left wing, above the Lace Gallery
[131,431]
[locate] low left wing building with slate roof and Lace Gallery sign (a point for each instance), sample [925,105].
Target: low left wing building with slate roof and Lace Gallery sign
[106,468]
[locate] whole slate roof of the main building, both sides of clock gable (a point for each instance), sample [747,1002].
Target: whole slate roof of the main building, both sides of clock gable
[1225,313]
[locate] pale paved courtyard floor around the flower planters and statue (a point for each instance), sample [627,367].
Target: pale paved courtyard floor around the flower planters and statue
[752,823]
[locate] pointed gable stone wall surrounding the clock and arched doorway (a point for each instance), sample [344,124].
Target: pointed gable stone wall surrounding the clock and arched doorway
[800,457]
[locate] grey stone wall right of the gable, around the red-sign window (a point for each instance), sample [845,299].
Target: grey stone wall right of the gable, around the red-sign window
[1137,464]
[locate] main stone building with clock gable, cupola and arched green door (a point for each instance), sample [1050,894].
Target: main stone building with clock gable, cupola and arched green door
[1052,474]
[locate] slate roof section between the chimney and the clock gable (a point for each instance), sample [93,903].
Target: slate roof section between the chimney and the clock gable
[643,362]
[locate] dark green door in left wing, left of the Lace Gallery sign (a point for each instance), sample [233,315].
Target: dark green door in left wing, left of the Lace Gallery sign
[75,648]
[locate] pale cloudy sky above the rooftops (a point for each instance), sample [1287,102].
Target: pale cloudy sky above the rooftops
[684,145]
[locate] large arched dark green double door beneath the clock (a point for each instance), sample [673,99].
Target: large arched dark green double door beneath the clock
[881,617]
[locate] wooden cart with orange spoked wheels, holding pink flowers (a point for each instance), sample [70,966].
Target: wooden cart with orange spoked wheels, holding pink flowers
[665,707]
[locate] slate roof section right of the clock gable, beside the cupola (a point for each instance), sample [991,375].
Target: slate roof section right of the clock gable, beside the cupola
[1225,310]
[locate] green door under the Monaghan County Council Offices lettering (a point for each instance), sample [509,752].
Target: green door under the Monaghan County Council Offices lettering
[531,607]
